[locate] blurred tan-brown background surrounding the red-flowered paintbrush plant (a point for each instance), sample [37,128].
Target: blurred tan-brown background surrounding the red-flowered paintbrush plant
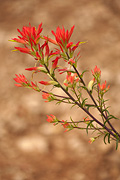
[31,148]
